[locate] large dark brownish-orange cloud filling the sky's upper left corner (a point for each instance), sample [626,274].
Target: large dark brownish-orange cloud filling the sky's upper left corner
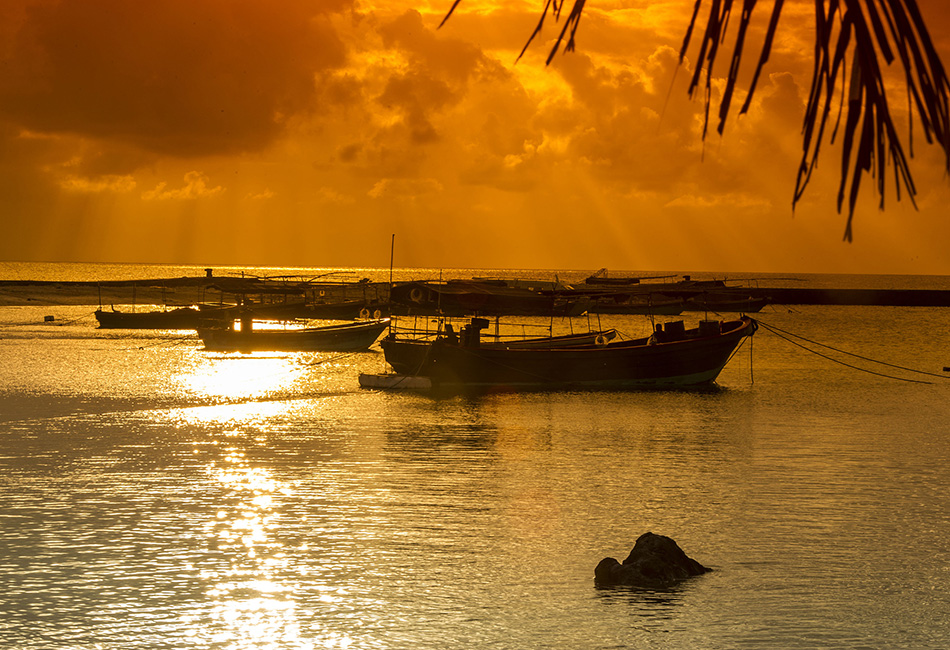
[180,77]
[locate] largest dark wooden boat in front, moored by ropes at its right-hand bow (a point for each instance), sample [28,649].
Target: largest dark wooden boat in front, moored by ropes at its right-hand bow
[672,357]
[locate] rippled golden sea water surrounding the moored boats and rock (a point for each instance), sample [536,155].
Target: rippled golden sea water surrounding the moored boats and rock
[155,495]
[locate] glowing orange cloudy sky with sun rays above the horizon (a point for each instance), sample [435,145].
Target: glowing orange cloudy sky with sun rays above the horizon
[309,132]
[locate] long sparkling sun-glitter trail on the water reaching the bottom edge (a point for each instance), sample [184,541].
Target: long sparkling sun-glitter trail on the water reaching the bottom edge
[255,584]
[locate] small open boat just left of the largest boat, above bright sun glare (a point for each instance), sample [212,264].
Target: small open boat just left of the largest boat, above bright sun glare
[346,337]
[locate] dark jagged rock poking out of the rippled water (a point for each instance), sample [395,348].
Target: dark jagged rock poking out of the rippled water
[655,562]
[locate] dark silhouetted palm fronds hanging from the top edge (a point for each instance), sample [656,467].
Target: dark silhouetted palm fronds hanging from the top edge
[864,31]
